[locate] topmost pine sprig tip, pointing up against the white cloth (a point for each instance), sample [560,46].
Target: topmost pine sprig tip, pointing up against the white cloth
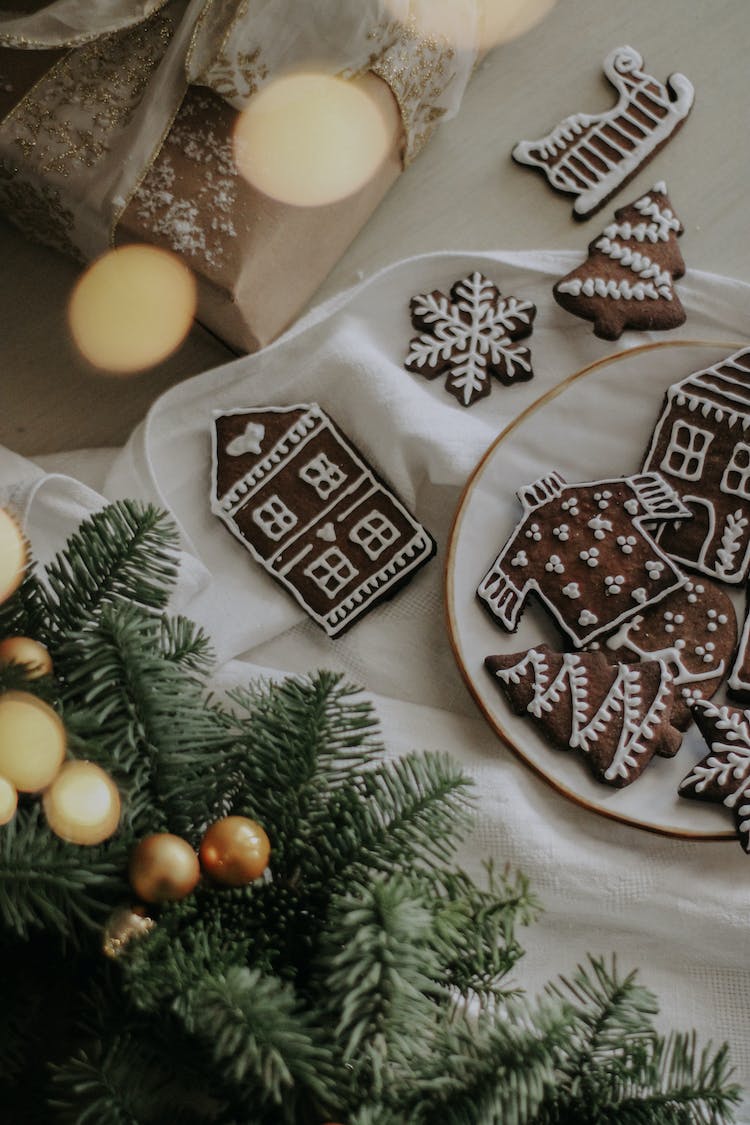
[126,553]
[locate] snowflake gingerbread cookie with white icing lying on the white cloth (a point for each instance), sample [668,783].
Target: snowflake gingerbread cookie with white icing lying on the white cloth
[471,336]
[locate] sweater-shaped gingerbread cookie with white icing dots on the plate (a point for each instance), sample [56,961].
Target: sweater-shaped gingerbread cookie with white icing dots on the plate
[585,552]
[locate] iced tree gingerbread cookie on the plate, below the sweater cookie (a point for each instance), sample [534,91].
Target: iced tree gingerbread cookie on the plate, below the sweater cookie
[618,716]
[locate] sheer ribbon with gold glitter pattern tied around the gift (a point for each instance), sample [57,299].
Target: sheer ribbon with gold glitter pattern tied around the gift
[76,148]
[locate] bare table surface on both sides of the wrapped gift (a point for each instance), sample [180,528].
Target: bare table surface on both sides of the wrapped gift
[464,193]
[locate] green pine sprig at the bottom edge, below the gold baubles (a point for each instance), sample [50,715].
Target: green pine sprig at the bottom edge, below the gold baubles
[260,1039]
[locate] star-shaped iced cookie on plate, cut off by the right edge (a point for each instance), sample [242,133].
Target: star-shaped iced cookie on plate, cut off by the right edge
[725,775]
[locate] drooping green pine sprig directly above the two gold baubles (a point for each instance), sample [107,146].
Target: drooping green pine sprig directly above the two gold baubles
[139,714]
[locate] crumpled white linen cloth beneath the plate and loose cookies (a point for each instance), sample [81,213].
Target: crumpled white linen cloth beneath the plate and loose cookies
[676,910]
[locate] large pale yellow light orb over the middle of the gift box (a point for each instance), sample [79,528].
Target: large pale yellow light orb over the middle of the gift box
[310,139]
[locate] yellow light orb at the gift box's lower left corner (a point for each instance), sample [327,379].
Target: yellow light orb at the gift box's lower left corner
[132,309]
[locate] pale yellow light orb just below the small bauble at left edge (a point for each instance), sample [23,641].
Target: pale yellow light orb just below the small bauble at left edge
[32,742]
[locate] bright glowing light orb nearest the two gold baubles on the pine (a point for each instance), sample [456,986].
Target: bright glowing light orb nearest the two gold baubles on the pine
[83,805]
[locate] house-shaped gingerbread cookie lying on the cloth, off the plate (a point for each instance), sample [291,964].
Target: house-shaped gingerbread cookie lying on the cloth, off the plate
[302,499]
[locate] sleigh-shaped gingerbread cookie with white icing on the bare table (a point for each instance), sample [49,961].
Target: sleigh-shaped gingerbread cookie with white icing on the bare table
[592,157]
